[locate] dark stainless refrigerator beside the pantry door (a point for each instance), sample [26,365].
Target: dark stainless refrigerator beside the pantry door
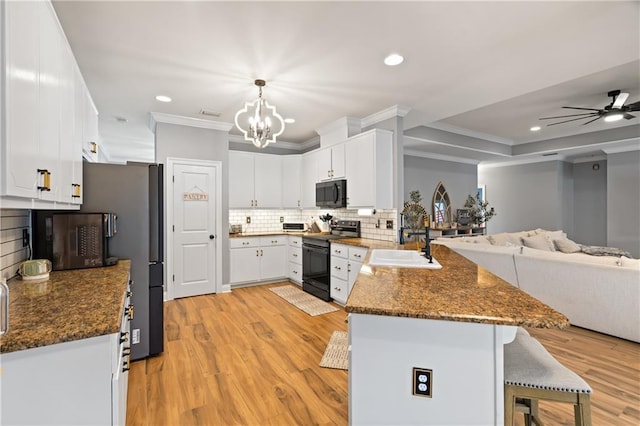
[135,193]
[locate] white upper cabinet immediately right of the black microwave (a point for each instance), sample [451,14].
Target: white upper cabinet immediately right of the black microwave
[369,169]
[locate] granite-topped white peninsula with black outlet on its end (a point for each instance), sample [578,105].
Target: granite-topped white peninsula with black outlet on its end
[454,322]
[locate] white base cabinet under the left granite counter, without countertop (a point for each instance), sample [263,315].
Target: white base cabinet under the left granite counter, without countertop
[74,383]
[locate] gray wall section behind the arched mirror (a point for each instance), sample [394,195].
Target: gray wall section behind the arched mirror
[423,174]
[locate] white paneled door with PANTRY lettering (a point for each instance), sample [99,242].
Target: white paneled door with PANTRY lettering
[196,213]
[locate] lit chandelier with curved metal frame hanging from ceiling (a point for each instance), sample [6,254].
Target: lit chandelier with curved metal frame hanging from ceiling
[259,121]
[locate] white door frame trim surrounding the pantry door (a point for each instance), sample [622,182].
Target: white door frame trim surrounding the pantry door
[217,165]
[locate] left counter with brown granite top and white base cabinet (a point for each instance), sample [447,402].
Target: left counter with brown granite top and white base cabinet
[64,358]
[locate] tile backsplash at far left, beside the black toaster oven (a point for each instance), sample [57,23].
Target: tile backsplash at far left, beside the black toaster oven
[12,251]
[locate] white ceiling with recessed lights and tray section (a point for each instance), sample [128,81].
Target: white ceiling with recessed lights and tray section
[487,70]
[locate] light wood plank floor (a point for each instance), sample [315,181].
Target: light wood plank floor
[248,357]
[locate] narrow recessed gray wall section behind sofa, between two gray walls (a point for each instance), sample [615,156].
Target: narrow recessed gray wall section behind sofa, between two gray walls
[590,203]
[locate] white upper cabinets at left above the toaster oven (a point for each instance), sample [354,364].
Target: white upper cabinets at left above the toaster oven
[41,161]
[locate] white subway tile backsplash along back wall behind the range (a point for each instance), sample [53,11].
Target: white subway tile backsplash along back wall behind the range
[269,220]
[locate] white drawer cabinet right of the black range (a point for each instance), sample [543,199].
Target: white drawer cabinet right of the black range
[346,262]
